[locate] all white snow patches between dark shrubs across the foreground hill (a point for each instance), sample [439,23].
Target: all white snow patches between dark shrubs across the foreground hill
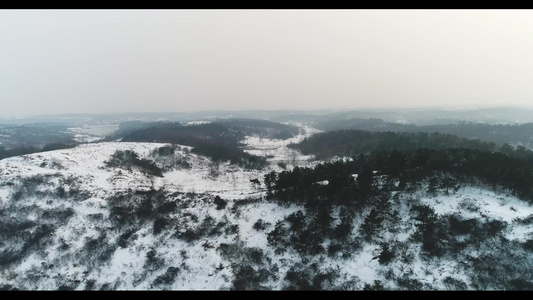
[161,261]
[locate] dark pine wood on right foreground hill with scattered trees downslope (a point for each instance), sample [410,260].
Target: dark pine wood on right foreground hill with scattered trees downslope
[370,182]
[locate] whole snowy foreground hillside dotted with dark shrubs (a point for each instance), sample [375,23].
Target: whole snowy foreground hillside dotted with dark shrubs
[70,221]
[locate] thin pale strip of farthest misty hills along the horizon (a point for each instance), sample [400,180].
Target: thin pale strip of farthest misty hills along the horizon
[505,115]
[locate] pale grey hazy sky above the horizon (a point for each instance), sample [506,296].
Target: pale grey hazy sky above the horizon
[100,61]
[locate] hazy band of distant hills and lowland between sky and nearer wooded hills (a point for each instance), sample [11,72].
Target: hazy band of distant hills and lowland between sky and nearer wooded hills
[492,124]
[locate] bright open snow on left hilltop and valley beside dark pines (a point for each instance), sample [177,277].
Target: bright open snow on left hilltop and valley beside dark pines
[86,162]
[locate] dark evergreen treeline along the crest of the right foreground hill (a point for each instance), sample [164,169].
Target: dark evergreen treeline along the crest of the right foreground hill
[444,169]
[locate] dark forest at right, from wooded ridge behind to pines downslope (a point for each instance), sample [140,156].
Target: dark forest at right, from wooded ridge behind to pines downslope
[381,165]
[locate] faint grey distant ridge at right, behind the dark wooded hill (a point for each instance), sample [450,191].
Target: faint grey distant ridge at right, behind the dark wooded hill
[497,133]
